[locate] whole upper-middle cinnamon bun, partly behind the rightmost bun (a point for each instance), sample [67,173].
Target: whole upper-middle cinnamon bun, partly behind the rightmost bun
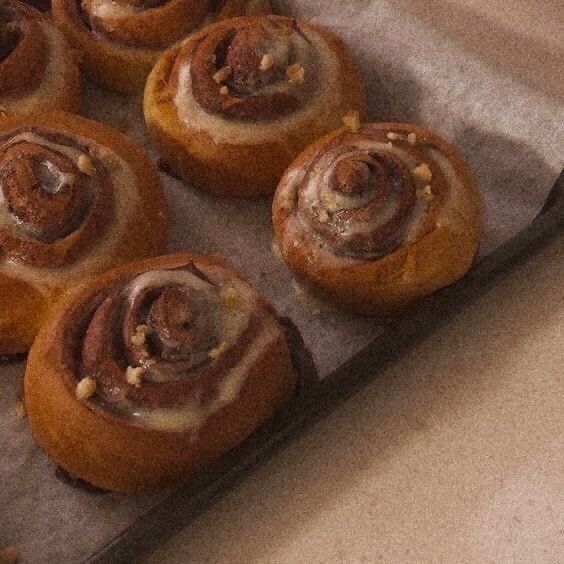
[233,105]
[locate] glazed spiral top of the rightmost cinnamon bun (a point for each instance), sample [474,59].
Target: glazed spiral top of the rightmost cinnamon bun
[362,195]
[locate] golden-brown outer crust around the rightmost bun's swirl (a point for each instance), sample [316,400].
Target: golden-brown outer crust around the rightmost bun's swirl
[440,255]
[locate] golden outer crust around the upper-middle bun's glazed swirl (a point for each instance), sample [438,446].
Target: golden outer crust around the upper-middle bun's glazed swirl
[241,168]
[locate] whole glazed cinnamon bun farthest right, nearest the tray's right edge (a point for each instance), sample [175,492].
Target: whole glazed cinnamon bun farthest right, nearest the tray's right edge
[373,217]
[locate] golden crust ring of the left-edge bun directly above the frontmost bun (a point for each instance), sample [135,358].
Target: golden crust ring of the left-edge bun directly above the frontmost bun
[29,291]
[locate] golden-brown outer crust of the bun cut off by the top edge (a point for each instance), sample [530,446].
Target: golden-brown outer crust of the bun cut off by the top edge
[124,62]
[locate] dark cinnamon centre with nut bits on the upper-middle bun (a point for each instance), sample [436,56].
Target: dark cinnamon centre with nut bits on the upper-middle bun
[256,70]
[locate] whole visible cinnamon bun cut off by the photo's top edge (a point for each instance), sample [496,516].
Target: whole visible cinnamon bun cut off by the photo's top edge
[120,40]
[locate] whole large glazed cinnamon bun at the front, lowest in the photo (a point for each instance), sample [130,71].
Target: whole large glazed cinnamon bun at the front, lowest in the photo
[152,371]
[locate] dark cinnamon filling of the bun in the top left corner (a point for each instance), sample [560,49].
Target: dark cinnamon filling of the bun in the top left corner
[23,50]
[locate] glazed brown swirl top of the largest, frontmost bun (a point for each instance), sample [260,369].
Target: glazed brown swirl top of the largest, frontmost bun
[168,348]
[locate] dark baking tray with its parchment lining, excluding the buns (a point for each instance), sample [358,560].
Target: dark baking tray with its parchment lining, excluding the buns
[504,152]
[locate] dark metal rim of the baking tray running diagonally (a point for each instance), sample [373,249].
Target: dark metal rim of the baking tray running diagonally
[186,502]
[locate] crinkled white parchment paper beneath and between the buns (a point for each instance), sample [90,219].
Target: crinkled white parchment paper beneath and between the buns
[511,133]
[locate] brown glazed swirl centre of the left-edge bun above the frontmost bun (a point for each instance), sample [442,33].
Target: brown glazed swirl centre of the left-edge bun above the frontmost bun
[56,197]
